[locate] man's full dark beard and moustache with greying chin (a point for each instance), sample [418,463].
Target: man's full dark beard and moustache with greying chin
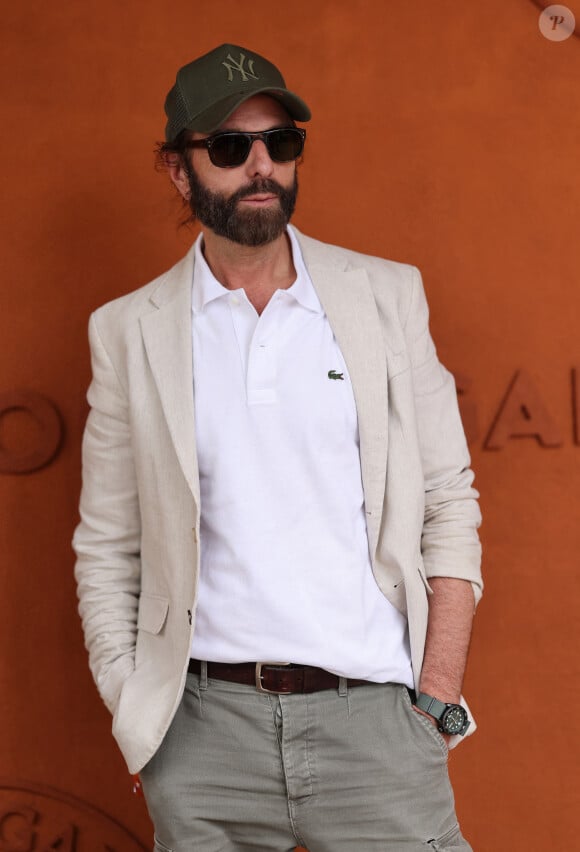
[245,227]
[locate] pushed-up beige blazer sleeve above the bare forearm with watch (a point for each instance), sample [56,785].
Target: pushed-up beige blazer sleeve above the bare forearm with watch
[450,542]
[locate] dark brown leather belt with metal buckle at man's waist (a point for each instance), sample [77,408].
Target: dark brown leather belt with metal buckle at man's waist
[277,678]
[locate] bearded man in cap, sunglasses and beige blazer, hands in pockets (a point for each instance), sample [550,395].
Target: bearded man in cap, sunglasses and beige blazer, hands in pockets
[275,470]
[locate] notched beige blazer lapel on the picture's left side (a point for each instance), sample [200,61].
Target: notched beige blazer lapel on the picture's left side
[167,337]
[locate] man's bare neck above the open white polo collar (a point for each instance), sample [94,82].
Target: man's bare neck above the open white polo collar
[259,270]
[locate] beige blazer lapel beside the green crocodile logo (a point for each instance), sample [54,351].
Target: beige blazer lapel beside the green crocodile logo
[349,304]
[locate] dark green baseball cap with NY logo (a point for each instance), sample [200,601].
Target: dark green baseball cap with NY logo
[210,88]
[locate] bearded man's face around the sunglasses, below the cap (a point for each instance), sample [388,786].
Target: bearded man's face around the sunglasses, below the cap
[250,204]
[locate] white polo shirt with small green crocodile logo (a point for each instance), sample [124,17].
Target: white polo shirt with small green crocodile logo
[285,568]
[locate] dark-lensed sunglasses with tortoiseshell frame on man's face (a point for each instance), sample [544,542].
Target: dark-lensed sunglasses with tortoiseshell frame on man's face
[230,149]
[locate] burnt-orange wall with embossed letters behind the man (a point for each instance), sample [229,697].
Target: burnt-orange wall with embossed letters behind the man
[445,134]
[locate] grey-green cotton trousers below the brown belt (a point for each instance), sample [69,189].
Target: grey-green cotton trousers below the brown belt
[351,770]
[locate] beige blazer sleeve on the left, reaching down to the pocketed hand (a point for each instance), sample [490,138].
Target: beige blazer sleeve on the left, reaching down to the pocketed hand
[107,539]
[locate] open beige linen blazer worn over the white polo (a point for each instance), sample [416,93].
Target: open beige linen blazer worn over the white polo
[138,539]
